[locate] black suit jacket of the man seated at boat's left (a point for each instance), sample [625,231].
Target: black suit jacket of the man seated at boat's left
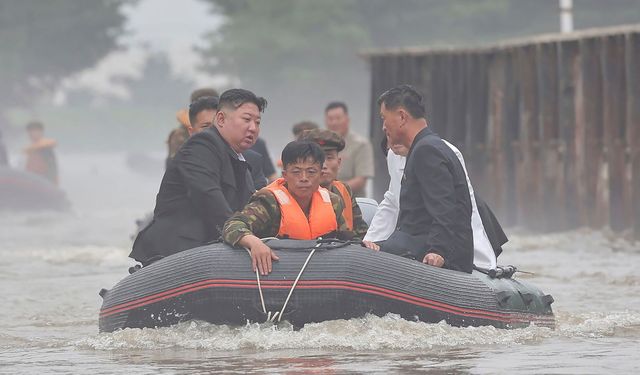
[202,186]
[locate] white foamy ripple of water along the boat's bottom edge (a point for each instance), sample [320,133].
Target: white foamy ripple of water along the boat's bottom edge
[364,334]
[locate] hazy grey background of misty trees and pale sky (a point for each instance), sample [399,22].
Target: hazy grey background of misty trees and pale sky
[109,75]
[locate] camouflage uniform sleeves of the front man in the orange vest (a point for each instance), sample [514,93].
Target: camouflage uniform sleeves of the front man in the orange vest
[261,217]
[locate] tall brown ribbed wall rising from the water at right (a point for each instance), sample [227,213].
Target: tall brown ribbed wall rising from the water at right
[549,126]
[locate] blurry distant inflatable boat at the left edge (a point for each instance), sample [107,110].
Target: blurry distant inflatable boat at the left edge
[20,190]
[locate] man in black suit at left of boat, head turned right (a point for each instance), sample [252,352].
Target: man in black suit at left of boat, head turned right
[206,181]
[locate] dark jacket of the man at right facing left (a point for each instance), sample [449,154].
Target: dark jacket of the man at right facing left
[435,207]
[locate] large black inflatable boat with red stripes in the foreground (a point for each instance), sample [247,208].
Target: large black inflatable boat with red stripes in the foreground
[315,282]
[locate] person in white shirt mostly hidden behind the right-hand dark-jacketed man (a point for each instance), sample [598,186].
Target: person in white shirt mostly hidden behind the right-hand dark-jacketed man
[386,216]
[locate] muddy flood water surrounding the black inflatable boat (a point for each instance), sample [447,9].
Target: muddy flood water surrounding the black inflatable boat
[53,265]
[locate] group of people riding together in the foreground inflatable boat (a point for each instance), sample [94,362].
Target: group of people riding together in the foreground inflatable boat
[215,187]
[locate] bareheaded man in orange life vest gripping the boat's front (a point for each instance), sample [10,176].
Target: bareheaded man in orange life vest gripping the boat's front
[294,206]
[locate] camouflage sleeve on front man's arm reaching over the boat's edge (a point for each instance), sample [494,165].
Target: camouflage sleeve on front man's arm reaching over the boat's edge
[260,217]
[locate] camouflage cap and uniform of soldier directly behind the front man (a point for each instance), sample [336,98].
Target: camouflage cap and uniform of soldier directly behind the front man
[330,140]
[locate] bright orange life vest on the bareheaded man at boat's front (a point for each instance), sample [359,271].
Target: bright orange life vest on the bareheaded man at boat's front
[294,223]
